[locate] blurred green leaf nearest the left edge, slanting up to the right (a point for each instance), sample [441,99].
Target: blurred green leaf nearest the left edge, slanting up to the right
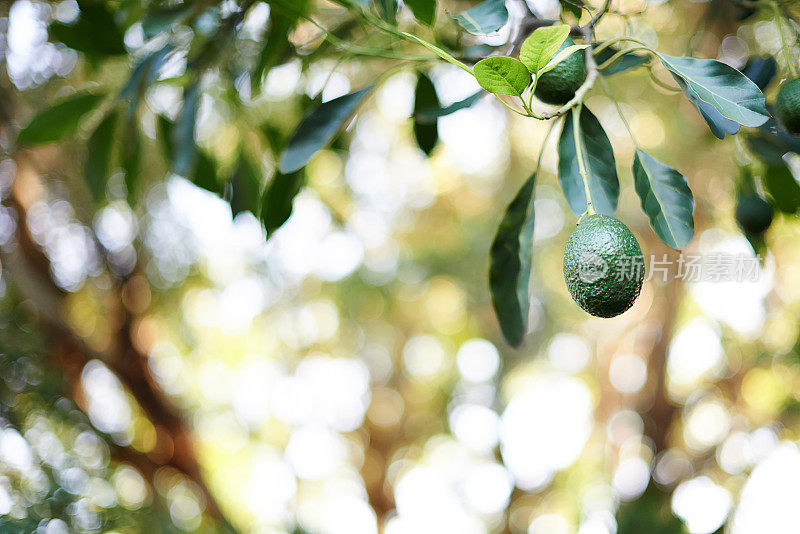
[55,122]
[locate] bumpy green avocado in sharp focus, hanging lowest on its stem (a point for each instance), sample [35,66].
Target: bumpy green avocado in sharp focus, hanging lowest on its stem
[609,239]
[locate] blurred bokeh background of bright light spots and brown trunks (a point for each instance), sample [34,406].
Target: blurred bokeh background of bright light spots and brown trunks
[167,368]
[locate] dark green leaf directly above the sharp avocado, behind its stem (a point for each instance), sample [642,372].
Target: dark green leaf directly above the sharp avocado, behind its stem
[598,156]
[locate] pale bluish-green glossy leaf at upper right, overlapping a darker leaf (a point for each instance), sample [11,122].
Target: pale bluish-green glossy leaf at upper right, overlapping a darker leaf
[730,92]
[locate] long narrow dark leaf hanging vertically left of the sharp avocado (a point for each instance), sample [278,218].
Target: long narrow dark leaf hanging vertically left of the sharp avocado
[510,265]
